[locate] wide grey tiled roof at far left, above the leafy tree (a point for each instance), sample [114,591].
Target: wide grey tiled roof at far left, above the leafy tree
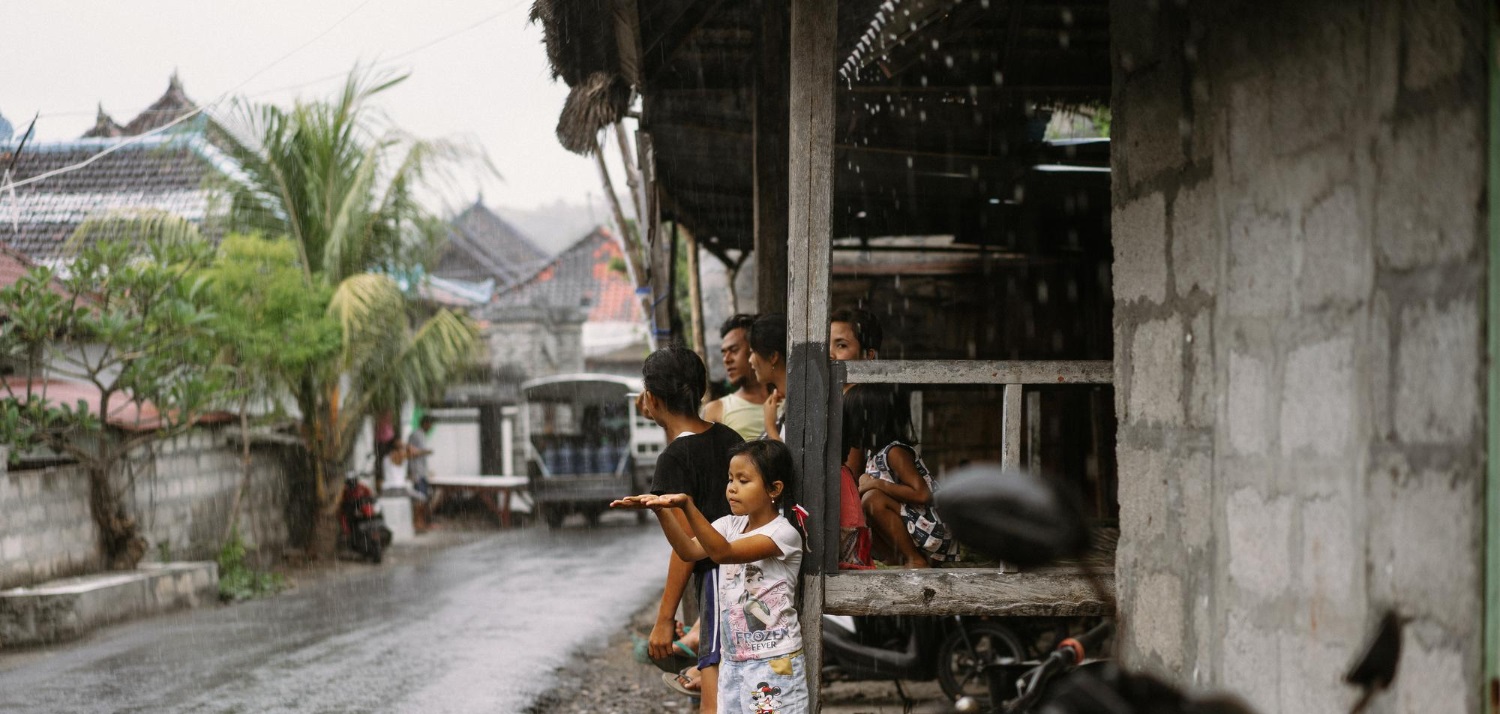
[163,173]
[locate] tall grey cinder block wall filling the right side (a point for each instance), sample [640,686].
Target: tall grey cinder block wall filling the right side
[1300,305]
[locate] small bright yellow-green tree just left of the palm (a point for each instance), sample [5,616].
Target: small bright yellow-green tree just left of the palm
[272,326]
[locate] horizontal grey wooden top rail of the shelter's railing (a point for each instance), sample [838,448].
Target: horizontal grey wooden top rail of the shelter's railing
[980,373]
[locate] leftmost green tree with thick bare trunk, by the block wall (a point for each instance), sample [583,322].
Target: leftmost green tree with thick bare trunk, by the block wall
[128,320]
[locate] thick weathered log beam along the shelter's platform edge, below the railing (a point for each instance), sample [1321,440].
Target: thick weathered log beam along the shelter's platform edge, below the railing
[968,592]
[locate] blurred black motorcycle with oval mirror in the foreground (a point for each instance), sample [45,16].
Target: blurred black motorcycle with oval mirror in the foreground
[1019,518]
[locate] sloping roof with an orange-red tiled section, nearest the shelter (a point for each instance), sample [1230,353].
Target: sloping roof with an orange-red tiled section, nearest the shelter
[581,277]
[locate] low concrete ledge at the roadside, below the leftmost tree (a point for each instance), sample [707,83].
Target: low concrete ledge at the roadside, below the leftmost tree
[70,608]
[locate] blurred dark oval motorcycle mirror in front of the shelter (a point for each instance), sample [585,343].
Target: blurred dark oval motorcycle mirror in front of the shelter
[1013,517]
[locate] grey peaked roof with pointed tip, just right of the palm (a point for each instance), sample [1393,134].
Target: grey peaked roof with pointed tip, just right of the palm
[484,247]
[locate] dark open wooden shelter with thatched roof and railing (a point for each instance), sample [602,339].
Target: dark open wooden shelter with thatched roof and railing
[799,130]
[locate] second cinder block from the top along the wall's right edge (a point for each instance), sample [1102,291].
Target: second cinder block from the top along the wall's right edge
[1430,188]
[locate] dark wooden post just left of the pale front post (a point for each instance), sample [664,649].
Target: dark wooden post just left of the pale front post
[772,113]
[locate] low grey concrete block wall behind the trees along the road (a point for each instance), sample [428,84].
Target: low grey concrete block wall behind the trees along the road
[182,499]
